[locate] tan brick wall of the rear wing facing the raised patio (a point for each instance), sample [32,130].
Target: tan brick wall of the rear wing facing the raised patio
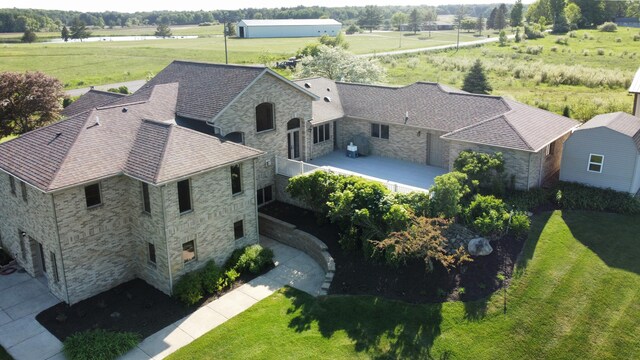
[407,143]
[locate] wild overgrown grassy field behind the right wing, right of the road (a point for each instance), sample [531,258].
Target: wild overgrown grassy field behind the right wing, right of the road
[544,80]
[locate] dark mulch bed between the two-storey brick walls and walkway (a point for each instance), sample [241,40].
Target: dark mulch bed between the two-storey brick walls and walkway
[134,306]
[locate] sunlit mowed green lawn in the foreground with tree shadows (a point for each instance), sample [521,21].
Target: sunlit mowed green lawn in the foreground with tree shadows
[574,296]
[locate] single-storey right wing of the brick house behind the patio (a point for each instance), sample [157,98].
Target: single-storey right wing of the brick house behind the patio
[431,124]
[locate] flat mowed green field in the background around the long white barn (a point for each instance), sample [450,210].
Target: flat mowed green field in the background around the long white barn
[96,63]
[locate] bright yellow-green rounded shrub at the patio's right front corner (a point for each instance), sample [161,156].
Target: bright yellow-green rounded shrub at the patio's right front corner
[448,190]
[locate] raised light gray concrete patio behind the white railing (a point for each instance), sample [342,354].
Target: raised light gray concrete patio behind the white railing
[381,168]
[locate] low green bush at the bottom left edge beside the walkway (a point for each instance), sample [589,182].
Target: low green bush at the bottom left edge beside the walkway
[99,344]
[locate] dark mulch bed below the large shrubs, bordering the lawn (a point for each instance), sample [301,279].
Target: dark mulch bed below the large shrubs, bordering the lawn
[356,275]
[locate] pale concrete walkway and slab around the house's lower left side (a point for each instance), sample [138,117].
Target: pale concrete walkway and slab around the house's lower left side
[23,297]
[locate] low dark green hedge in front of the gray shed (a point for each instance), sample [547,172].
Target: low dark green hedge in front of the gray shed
[581,197]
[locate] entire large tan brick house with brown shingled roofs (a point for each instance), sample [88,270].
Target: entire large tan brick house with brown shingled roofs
[153,184]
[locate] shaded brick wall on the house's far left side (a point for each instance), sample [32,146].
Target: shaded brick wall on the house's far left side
[36,218]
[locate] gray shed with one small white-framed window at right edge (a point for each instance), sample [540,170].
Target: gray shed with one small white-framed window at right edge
[604,152]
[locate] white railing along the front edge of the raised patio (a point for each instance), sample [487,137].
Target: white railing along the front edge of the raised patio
[290,168]
